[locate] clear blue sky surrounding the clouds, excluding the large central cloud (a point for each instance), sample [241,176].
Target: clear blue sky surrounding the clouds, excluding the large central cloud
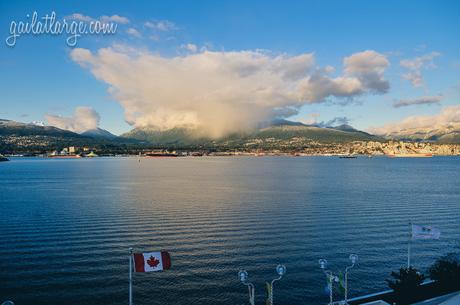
[39,76]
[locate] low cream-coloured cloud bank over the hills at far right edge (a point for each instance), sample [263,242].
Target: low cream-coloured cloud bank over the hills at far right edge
[447,119]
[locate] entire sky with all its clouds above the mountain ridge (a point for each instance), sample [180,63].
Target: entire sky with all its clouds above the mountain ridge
[222,66]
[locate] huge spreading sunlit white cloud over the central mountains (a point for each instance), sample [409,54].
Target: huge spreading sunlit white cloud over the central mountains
[221,92]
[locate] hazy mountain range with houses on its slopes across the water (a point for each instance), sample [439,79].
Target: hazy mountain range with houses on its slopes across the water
[274,134]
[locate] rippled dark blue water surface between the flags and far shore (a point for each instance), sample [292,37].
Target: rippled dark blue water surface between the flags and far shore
[66,225]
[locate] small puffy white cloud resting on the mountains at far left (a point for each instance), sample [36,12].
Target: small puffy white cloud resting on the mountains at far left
[83,119]
